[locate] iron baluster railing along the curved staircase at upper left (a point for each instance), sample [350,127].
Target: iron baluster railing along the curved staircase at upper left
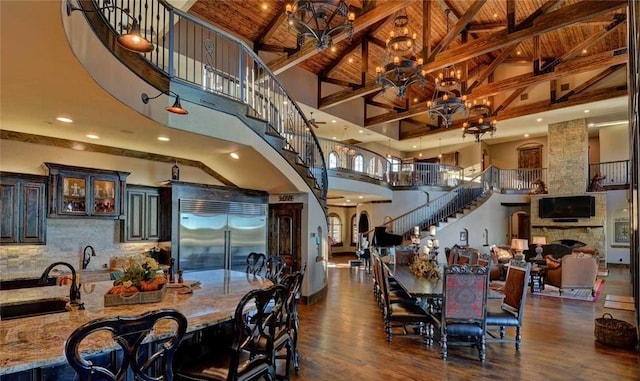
[198,54]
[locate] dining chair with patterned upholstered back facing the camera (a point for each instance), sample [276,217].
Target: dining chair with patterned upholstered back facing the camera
[464,308]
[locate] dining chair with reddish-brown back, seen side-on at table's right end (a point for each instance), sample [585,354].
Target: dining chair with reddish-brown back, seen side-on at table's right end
[512,308]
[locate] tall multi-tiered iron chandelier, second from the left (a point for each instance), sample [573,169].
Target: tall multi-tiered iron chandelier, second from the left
[403,68]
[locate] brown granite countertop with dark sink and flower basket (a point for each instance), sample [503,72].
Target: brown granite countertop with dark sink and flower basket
[38,341]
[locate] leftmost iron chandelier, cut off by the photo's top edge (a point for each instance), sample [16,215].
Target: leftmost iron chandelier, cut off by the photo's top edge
[320,20]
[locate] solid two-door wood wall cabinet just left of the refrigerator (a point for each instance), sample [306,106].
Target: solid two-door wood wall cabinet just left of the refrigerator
[143,214]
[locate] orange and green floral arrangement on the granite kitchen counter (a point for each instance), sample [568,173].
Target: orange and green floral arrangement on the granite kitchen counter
[142,273]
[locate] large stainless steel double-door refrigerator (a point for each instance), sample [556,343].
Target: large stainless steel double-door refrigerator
[220,235]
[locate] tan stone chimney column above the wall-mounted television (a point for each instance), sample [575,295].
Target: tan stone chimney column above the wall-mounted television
[568,157]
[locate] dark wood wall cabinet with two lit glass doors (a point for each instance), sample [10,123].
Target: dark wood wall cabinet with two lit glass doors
[85,192]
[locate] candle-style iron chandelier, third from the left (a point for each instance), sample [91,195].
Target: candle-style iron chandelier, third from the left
[447,99]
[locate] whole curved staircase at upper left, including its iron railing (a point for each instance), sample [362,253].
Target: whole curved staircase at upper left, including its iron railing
[220,72]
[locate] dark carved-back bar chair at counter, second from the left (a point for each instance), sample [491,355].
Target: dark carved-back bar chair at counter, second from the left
[251,354]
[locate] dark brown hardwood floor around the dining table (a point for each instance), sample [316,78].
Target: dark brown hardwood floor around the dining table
[342,338]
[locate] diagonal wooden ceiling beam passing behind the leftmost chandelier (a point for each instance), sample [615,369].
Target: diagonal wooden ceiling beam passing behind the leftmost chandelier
[361,23]
